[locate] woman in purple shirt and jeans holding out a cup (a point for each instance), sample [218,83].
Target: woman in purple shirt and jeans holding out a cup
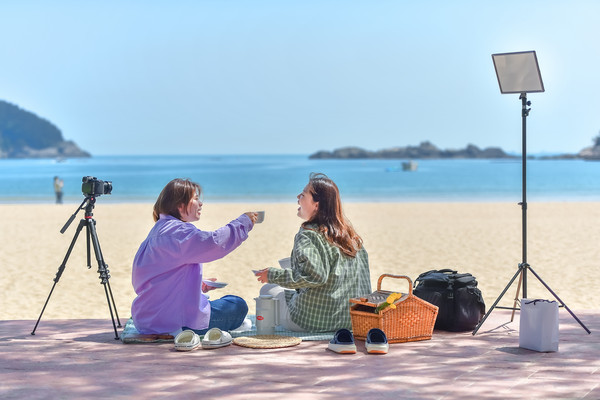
[167,269]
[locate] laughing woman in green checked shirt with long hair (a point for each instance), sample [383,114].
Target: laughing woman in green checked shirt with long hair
[329,265]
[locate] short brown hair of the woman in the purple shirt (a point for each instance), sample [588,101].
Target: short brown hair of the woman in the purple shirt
[174,194]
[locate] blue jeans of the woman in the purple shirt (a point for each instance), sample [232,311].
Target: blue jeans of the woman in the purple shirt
[226,313]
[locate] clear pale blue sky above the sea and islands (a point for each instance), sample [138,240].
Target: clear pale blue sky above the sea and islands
[261,77]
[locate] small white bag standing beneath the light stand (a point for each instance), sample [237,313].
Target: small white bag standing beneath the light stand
[539,325]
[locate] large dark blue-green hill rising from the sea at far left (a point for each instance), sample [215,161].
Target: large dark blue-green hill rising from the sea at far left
[25,135]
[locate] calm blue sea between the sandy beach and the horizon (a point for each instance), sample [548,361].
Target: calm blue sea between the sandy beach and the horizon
[279,178]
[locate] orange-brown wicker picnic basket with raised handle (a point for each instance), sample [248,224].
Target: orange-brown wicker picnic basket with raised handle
[412,319]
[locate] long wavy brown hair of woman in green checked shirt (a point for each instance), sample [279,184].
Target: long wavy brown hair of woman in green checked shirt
[329,216]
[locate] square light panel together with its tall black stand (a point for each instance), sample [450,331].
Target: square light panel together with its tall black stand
[519,73]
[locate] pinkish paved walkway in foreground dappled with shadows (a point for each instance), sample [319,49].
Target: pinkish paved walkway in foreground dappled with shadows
[80,359]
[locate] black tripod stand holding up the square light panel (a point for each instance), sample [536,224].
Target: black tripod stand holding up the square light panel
[524,266]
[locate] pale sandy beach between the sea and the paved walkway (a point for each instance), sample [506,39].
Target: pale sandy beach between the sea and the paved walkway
[401,238]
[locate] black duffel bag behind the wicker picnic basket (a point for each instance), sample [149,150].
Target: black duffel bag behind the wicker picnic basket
[460,303]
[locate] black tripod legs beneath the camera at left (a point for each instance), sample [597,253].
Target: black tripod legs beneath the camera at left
[90,225]
